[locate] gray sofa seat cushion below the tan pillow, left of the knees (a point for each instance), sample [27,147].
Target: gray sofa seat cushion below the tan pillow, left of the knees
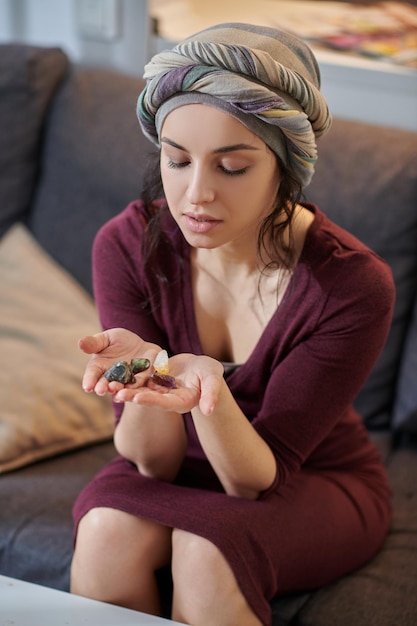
[36,529]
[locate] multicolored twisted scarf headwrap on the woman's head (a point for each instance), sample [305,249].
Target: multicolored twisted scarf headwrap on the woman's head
[266,78]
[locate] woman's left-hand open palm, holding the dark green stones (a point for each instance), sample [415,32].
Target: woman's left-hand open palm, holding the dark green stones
[116,344]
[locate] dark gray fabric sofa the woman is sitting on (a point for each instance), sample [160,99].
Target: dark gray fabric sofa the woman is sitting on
[72,156]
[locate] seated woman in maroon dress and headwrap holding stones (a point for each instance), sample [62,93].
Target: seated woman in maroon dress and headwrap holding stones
[254,476]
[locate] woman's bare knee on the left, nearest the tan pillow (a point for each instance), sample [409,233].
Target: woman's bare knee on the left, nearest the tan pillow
[115,559]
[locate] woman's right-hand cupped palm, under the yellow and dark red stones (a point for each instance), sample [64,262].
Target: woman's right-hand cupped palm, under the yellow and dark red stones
[198,378]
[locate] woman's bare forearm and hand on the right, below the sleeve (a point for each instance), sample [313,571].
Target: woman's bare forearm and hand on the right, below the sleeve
[242,460]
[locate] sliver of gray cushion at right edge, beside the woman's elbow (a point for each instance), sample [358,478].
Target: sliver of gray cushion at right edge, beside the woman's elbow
[405,408]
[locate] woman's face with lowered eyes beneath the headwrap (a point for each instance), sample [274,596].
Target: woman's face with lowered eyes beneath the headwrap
[220,179]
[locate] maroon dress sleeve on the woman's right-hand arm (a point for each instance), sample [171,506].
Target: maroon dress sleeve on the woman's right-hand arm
[313,385]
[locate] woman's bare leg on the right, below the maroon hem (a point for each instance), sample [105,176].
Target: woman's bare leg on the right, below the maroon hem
[205,590]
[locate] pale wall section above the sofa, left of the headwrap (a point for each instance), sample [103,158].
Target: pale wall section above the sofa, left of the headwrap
[54,23]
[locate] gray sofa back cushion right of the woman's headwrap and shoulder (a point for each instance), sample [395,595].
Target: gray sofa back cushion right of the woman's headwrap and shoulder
[366,181]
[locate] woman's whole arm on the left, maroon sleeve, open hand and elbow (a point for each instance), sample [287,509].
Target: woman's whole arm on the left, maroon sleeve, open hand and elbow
[154,440]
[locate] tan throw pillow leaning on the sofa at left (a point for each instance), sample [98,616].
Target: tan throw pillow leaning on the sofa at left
[43,313]
